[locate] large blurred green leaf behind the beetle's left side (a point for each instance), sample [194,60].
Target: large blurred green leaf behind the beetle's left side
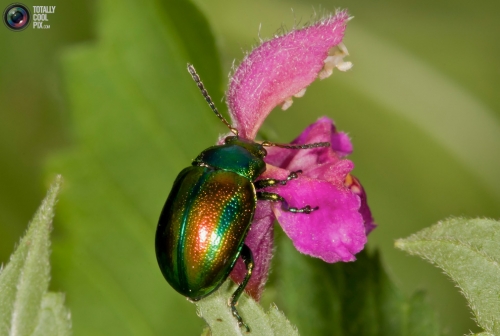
[138,120]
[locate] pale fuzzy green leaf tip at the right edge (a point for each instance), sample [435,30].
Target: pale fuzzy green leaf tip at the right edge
[466,250]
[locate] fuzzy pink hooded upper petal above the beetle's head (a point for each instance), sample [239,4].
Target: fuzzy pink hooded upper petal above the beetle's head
[279,69]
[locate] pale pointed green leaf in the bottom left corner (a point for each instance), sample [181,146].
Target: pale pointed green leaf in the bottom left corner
[26,308]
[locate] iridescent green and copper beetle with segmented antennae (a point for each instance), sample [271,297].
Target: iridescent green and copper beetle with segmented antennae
[202,228]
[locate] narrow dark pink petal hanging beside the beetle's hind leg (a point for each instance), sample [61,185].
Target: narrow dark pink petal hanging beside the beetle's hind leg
[260,242]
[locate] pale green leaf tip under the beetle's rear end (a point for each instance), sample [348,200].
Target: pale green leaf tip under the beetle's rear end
[215,311]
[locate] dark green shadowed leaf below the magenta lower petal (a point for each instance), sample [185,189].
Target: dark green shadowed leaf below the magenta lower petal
[355,298]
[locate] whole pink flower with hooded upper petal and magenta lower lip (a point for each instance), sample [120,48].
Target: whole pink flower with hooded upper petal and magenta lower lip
[270,75]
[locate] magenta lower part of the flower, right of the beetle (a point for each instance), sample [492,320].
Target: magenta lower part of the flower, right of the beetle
[337,230]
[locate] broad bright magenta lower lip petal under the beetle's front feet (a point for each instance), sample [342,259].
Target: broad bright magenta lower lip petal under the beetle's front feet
[335,232]
